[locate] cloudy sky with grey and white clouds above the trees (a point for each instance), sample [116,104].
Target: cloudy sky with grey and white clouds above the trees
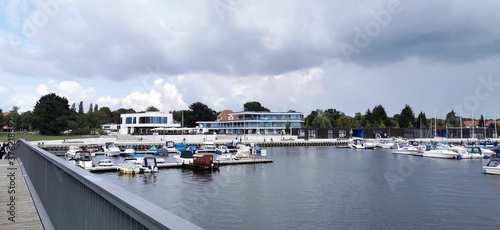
[435,56]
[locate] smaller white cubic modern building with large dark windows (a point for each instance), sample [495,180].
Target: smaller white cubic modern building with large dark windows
[147,123]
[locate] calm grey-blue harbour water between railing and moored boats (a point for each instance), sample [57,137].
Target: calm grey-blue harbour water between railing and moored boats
[328,188]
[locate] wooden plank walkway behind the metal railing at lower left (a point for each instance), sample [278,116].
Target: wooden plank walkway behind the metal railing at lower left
[17,210]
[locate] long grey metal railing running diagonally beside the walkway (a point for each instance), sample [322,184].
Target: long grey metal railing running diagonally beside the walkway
[76,199]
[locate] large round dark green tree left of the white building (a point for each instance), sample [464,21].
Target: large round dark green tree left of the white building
[51,114]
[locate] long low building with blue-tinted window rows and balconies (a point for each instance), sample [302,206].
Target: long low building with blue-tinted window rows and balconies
[254,123]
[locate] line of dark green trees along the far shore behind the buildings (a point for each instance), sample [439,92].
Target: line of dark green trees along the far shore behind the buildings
[53,115]
